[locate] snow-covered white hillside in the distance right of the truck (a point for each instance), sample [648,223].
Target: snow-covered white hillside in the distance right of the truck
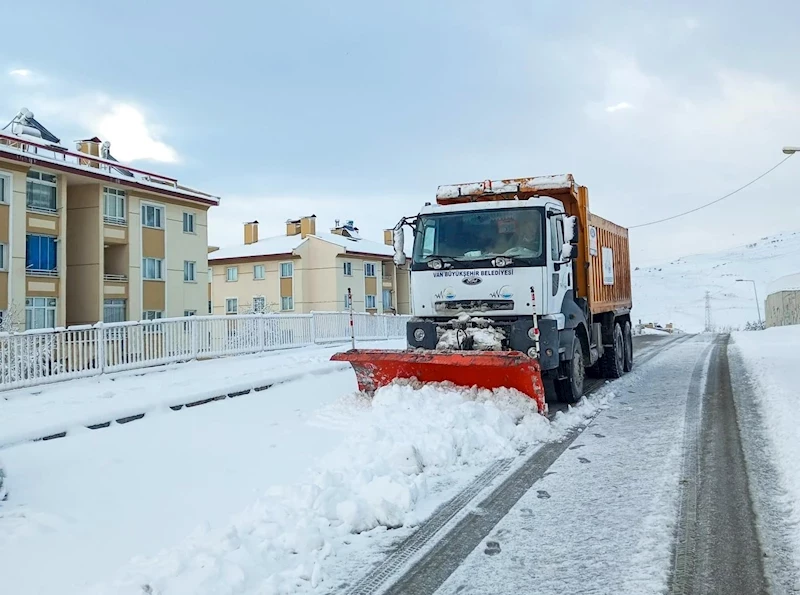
[675,291]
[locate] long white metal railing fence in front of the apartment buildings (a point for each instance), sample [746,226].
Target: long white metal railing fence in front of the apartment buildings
[42,356]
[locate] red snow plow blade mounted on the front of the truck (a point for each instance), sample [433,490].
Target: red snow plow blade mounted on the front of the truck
[375,368]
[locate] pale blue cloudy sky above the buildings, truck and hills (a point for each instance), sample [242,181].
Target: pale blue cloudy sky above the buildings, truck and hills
[358,109]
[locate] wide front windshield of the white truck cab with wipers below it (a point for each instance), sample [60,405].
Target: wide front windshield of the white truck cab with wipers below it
[466,239]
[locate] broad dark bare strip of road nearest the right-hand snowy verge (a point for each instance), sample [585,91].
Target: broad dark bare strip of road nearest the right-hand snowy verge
[717,547]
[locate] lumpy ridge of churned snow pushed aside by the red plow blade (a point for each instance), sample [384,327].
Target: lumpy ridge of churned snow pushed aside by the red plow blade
[376,479]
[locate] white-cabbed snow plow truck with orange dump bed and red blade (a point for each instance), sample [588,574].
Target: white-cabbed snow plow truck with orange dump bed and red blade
[514,283]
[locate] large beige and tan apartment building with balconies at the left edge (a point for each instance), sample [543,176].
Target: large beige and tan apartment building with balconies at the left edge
[84,238]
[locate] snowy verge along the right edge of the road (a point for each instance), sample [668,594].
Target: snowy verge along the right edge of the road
[771,358]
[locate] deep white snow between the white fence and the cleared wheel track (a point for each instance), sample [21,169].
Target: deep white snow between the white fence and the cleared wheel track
[268,492]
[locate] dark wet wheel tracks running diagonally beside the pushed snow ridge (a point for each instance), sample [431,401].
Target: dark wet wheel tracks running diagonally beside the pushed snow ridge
[429,572]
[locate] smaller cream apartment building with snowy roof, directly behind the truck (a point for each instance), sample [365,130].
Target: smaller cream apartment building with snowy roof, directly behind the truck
[303,271]
